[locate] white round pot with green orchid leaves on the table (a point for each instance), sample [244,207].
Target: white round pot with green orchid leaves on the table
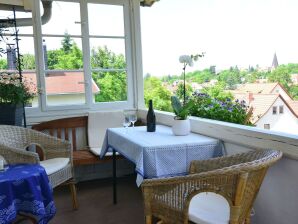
[181,124]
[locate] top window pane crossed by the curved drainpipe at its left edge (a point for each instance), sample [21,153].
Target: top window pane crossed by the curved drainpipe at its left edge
[65,19]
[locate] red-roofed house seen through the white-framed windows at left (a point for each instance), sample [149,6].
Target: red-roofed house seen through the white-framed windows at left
[61,87]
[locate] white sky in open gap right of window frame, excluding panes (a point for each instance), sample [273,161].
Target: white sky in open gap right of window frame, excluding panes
[230,32]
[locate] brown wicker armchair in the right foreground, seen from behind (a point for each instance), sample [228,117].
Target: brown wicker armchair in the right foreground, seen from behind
[236,179]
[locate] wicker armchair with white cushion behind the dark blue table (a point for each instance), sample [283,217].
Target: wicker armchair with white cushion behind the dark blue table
[57,154]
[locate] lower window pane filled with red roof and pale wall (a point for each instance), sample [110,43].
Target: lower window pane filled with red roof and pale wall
[65,88]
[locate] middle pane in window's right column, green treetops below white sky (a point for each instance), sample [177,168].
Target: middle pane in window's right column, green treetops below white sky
[107,53]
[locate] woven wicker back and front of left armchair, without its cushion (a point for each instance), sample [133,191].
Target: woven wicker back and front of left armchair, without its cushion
[14,140]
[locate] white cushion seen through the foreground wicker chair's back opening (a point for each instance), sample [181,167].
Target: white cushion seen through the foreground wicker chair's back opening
[209,208]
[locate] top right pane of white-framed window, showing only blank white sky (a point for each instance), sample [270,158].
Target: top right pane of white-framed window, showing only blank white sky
[105,20]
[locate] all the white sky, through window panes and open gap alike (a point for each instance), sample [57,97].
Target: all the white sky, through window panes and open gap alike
[230,32]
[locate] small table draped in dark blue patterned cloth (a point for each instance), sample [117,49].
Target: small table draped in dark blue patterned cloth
[25,188]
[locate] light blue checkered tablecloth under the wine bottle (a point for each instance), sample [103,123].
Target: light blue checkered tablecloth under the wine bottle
[160,153]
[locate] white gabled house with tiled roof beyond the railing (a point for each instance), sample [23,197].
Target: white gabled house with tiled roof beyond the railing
[272,107]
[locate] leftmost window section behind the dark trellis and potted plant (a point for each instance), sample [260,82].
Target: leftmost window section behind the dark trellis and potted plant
[9,53]
